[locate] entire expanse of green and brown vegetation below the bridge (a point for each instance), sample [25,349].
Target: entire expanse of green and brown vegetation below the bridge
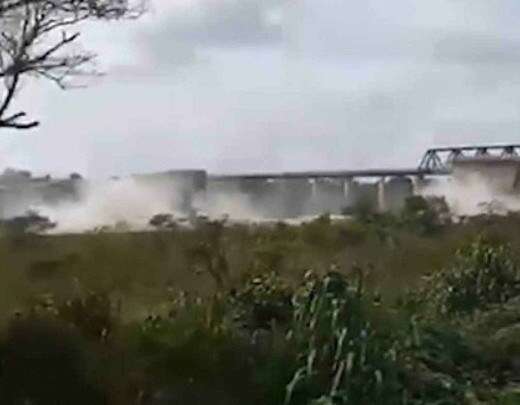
[378,309]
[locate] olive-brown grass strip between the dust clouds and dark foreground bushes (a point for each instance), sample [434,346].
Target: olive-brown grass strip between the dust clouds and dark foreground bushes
[143,266]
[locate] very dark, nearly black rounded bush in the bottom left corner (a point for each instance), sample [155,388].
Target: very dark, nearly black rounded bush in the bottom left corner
[45,363]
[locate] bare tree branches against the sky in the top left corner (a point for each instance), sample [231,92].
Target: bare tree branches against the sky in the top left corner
[36,38]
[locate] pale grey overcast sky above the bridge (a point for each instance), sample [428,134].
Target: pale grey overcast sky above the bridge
[251,85]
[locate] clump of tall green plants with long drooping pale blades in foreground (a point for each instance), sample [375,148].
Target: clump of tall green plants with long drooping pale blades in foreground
[343,358]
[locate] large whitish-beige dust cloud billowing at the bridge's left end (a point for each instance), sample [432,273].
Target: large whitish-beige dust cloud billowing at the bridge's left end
[129,204]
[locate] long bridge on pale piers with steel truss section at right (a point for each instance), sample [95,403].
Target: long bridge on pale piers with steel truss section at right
[332,189]
